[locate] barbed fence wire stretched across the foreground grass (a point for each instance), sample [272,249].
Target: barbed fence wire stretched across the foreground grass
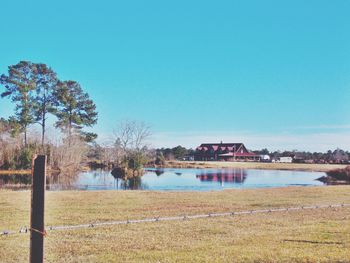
[24,229]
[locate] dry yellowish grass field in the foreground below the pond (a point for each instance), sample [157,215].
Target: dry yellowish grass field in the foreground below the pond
[301,236]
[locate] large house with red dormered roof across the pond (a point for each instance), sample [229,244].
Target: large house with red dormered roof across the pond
[224,152]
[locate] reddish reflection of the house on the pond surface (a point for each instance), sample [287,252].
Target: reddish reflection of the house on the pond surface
[235,176]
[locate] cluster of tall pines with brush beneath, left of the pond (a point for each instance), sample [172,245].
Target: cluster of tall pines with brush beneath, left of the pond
[37,93]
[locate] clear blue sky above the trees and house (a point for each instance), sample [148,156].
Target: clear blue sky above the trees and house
[268,73]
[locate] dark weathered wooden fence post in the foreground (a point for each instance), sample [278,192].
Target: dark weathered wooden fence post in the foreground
[37,229]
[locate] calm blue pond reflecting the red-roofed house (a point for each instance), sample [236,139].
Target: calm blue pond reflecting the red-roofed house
[169,179]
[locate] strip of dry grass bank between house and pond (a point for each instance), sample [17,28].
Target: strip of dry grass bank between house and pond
[256,165]
